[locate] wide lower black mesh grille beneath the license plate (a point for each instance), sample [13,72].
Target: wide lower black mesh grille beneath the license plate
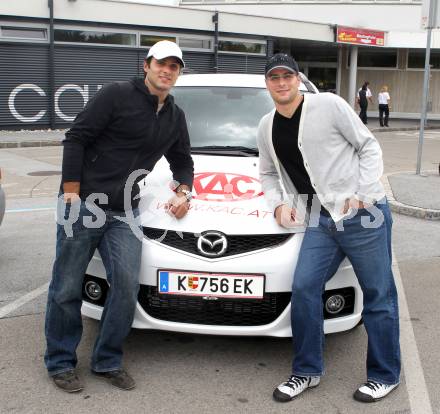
[226,312]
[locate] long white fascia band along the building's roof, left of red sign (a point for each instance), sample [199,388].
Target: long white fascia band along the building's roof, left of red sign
[167,17]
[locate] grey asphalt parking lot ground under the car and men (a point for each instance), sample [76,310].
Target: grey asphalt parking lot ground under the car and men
[178,373]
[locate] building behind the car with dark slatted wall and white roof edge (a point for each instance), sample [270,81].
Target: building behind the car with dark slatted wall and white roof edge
[52,60]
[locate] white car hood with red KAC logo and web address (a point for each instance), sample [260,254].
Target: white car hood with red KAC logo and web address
[227,198]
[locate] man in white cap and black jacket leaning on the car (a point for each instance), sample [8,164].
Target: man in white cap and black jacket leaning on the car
[124,129]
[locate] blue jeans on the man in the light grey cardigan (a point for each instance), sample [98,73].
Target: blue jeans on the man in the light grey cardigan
[369,251]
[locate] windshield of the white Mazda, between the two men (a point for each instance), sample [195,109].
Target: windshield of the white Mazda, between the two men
[223,116]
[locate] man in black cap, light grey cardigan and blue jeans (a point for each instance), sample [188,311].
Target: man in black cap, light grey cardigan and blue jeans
[315,150]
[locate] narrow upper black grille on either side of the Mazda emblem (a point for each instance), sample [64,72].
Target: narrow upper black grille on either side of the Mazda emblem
[237,244]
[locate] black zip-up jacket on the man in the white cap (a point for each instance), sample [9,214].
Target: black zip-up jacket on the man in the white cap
[119,132]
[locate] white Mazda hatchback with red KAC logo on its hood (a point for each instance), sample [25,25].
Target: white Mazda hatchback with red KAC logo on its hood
[227,267]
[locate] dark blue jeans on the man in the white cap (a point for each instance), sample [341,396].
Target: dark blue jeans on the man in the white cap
[120,250]
